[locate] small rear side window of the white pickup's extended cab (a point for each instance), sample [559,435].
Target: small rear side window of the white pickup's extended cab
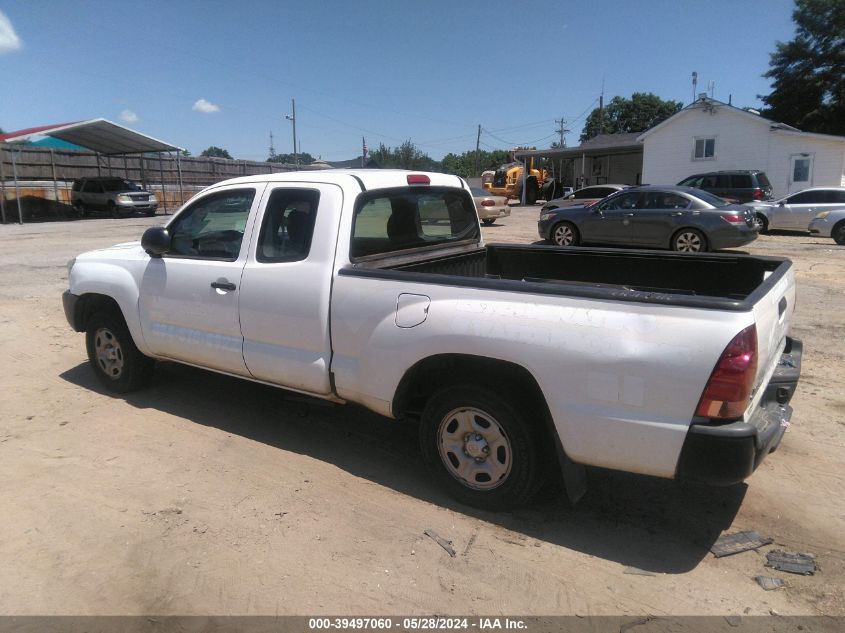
[288,225]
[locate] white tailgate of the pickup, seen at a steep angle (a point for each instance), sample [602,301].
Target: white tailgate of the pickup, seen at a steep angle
[772,316]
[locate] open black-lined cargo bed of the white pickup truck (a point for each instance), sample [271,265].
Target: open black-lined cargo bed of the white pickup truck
[723,281]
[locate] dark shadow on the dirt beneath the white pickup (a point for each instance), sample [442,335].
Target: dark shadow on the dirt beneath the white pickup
[653,524]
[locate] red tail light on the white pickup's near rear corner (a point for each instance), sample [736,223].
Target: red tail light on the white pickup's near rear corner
[727,392]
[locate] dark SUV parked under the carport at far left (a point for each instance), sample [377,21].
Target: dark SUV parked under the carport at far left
[116,196]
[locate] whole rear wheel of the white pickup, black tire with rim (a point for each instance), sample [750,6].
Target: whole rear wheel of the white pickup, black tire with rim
[480,447]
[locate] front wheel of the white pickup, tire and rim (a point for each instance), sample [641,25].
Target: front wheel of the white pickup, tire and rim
[112,353]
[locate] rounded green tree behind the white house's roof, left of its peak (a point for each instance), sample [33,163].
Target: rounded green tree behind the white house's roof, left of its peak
[642,111]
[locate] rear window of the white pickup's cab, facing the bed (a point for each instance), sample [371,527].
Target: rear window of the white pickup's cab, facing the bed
[391,220]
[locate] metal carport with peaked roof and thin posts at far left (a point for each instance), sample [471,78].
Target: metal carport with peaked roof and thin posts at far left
[101,136]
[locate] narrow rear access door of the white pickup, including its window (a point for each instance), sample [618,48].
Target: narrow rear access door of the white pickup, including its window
[286,287]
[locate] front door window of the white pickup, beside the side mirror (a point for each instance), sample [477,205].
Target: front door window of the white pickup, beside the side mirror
[212,227]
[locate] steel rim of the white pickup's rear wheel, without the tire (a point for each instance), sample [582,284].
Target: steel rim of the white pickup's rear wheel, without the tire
[474,448]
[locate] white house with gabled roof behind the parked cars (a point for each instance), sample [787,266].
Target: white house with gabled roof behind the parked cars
[709,135]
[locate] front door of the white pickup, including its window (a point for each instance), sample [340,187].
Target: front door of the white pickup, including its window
[189,297]
